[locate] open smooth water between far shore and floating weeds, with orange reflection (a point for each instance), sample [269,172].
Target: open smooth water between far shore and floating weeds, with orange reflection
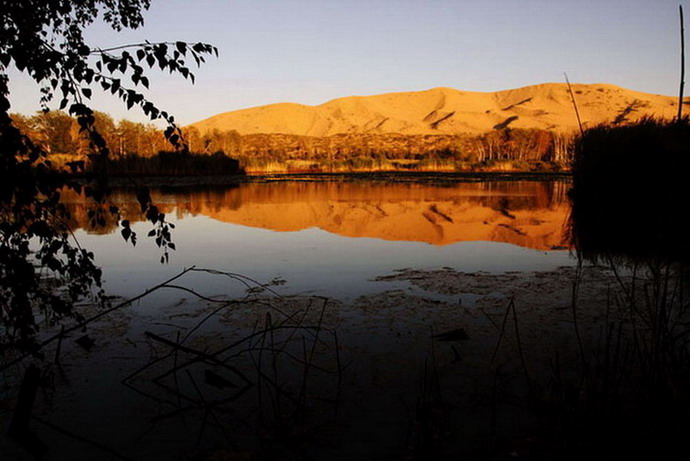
[332,238]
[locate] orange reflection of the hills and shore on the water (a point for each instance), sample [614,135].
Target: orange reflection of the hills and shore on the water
[529,214]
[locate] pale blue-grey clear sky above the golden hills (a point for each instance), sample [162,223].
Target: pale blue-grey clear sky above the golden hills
[311,51]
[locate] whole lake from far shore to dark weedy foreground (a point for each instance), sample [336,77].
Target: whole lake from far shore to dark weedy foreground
[366,293]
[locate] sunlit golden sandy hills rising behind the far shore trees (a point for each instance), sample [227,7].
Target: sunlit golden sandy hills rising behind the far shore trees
[448,111]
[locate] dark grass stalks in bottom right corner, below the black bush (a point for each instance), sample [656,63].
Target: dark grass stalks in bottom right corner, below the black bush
[630,393]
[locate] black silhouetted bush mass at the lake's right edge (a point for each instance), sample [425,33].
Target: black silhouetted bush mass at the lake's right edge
[629,194]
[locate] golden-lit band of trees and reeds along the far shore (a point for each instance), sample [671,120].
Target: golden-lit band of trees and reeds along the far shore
[139,151]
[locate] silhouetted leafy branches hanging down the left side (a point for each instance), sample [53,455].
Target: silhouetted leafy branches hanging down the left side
[42,268]
